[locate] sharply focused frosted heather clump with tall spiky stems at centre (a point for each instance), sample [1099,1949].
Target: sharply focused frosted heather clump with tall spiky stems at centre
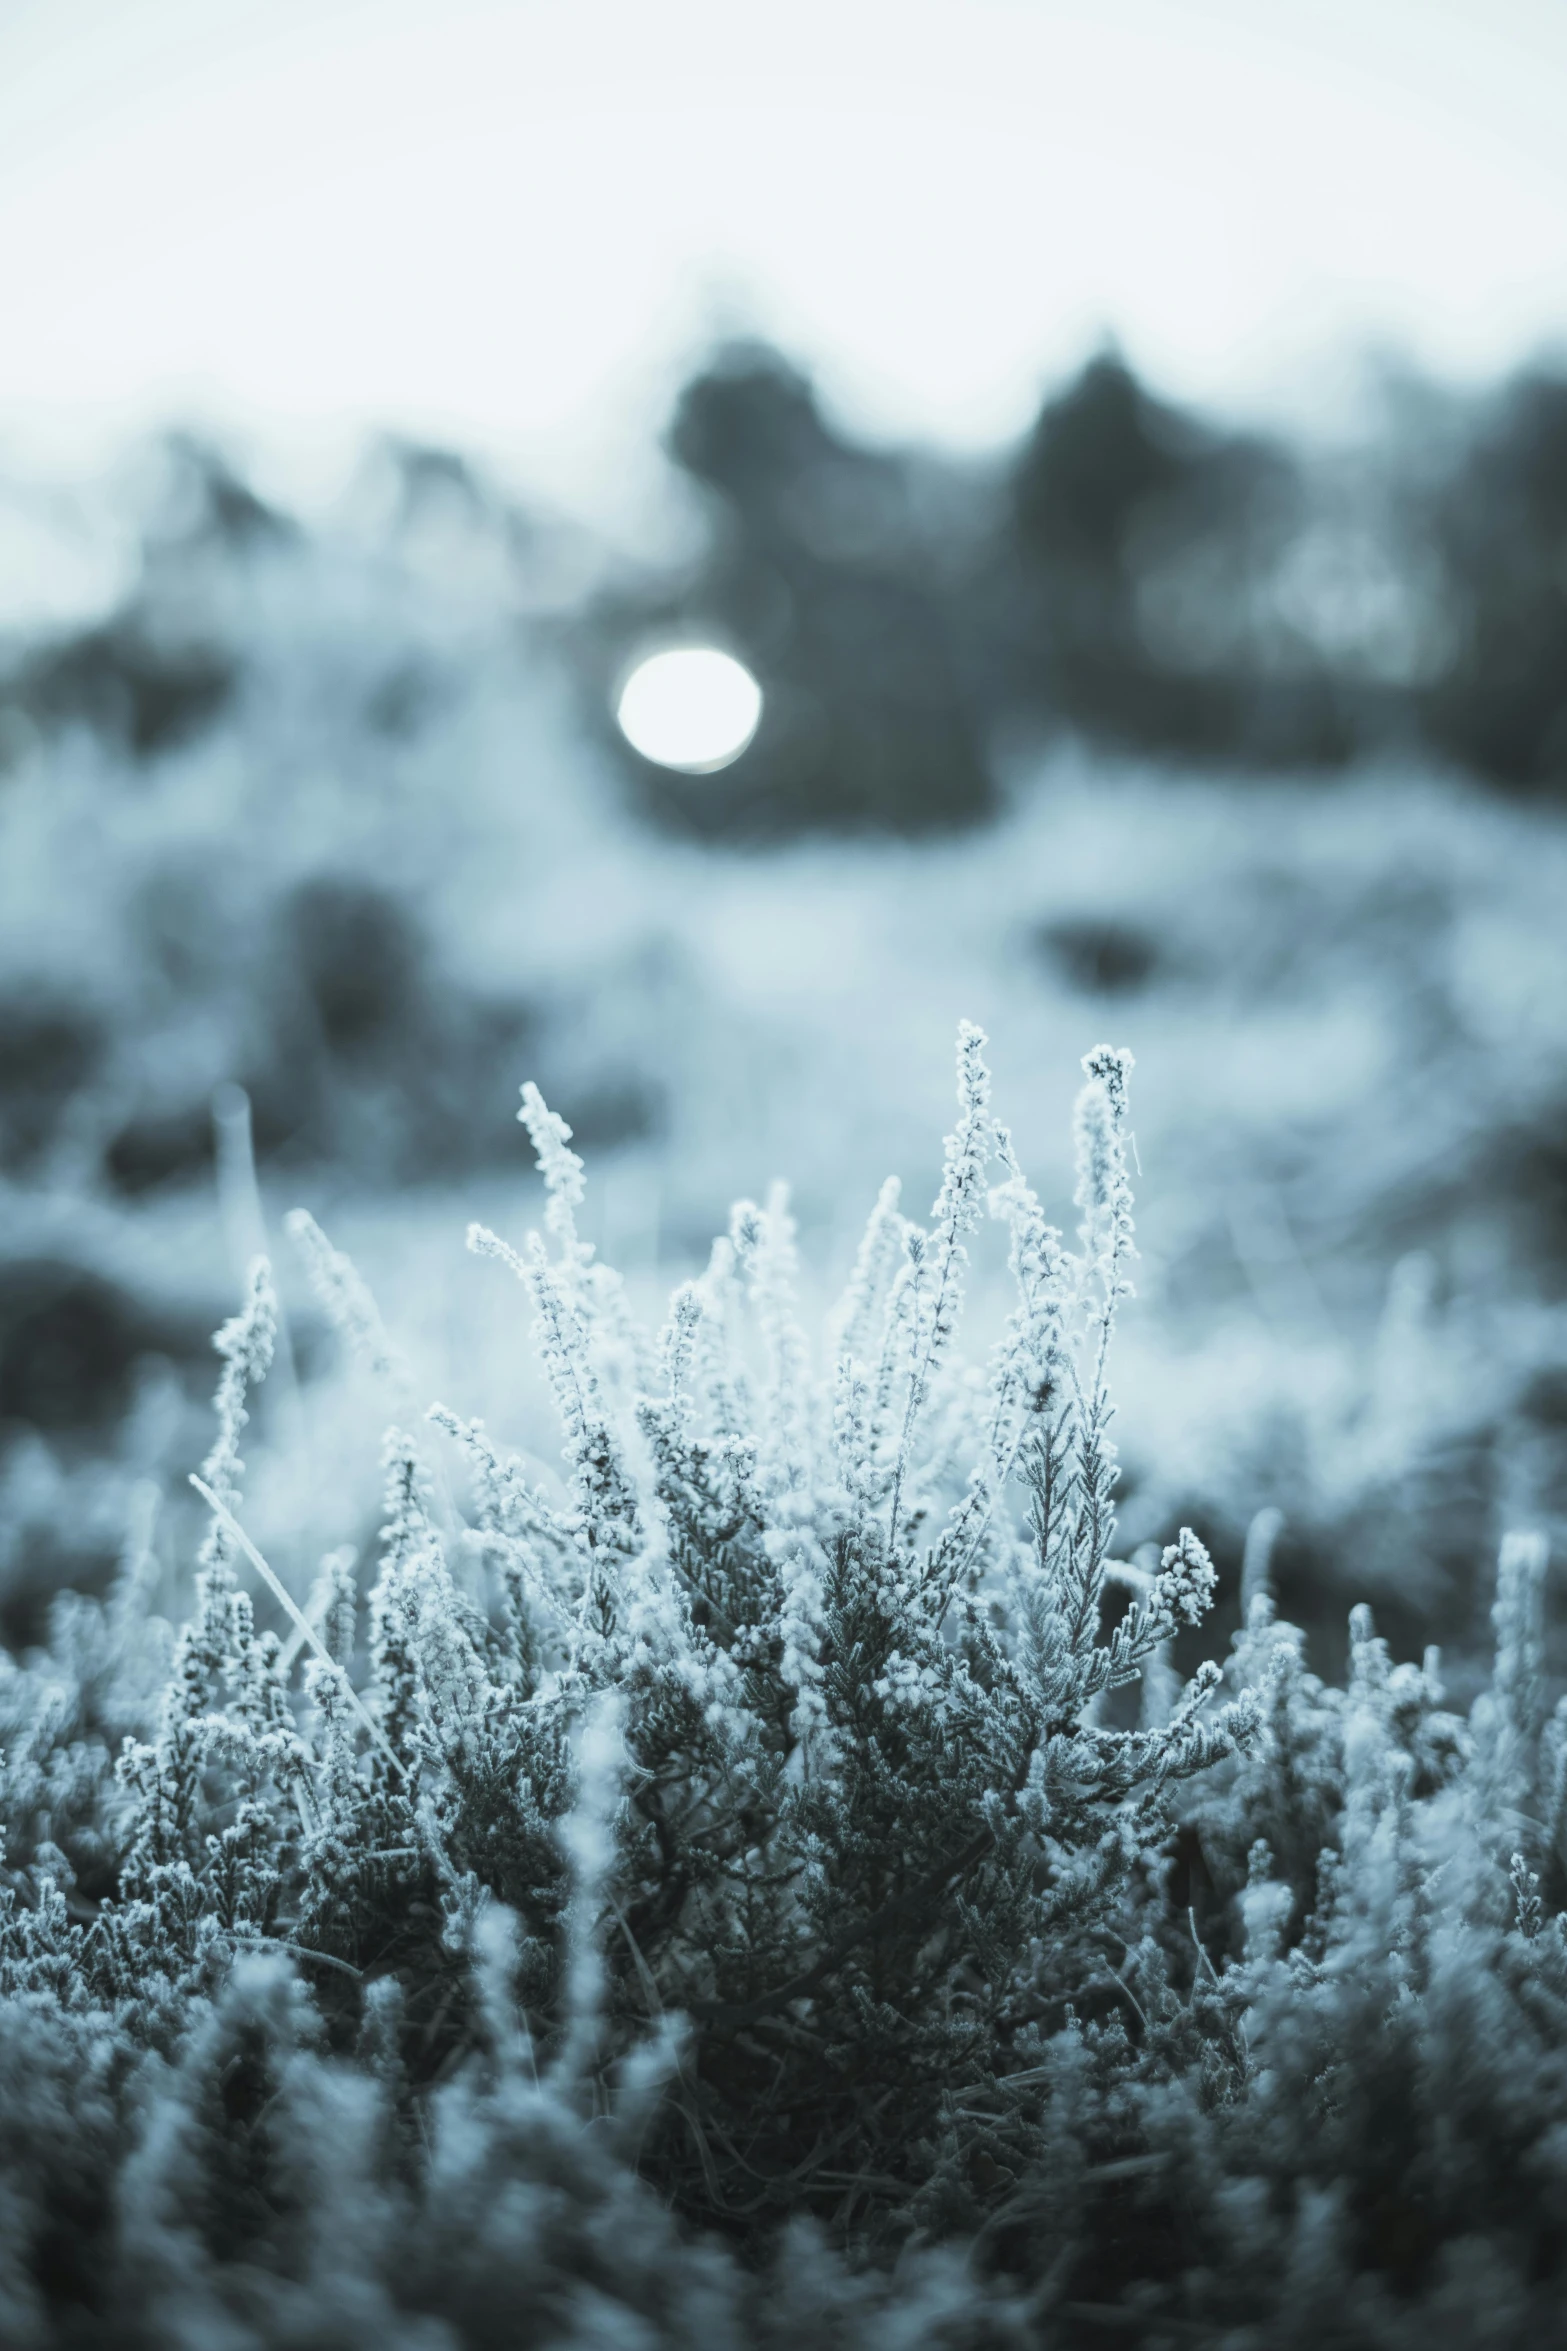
[852,1616]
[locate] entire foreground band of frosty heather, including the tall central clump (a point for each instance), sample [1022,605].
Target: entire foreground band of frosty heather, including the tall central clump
[725,1896]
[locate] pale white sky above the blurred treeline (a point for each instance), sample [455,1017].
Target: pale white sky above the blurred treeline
[509,225]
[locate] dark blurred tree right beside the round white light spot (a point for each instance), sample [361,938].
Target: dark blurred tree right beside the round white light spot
[821,575]
